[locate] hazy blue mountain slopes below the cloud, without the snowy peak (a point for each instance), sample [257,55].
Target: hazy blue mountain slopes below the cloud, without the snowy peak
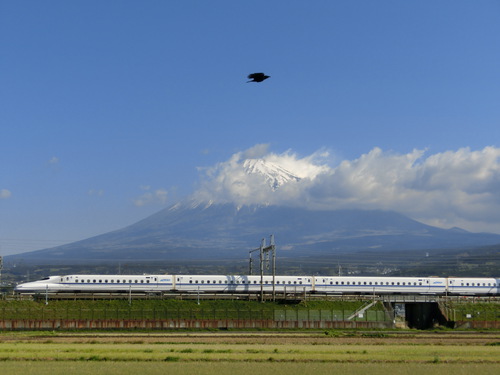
[197,231]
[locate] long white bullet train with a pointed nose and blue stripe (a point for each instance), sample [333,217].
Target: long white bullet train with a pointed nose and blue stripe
[467,286]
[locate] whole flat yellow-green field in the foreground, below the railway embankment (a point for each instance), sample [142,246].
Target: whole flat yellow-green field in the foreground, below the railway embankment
[250,353]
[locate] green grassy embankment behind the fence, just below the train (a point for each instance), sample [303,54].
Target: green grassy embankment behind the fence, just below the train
[337,309]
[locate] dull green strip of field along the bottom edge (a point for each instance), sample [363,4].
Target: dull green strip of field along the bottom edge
[244,368]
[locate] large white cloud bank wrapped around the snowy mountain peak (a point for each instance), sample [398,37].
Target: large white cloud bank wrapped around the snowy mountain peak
[452,188]
